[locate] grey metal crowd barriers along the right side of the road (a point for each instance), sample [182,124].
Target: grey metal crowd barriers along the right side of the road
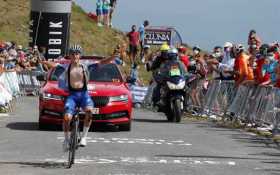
[249,103]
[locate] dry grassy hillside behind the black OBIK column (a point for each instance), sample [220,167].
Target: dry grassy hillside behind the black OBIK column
[15,19]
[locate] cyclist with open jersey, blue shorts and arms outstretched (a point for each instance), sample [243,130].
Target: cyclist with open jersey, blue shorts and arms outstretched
[75,81]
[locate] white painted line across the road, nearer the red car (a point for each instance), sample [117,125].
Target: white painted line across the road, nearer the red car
[134,141]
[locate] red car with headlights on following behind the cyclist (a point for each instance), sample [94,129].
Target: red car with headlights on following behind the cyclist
[107,87]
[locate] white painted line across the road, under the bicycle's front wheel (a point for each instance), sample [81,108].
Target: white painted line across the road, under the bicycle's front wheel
[143,160]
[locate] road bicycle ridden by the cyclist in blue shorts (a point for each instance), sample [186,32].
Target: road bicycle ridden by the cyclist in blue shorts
[75,137]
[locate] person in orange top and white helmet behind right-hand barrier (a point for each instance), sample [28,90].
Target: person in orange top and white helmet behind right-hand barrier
[240,65]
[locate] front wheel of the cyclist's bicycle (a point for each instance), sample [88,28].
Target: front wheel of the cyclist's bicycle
[73,142]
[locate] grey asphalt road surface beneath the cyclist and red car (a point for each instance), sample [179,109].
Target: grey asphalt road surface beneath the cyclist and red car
[153,147]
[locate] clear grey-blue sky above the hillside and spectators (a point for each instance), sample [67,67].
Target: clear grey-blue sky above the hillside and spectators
[201,22]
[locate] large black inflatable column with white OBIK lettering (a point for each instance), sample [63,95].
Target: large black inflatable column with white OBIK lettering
[50,26]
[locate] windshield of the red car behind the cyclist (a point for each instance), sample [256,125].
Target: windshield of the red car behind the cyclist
[98,73]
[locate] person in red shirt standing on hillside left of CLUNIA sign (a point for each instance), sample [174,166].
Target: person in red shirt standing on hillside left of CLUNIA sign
[133,37]
